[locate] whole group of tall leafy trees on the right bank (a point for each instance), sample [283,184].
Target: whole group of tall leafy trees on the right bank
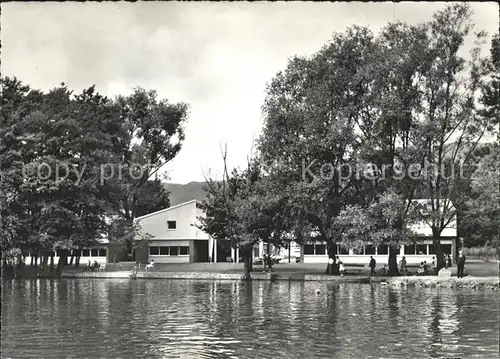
[405,103]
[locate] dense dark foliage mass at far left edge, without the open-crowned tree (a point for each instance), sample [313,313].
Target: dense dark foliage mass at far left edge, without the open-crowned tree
[54,145]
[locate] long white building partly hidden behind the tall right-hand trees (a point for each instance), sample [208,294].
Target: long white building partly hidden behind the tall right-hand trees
[423,250]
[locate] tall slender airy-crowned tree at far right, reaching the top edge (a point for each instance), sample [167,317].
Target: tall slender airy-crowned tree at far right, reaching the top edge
[450,118]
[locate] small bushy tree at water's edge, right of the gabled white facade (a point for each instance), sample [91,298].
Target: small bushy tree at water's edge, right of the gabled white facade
[242,209]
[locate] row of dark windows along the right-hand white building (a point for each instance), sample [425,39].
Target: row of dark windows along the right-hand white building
[320,249]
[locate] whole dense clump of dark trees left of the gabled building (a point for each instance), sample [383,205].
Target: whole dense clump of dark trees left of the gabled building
[55,150]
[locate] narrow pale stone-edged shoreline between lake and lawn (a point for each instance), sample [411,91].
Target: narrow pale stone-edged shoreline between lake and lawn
[426,281]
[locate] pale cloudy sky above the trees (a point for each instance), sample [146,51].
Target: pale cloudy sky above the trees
[215,56]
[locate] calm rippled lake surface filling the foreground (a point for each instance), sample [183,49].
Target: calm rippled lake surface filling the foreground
[89,318]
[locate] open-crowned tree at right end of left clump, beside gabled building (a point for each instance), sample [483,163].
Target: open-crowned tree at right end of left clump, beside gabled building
[151,135]
